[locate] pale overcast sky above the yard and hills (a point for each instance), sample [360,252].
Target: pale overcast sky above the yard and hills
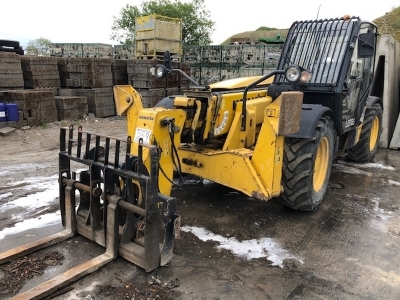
[89,21]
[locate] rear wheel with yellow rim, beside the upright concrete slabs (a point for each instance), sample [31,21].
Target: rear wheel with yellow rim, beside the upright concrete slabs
[367,147]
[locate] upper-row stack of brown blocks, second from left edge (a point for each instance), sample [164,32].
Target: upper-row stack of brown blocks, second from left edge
[40,72]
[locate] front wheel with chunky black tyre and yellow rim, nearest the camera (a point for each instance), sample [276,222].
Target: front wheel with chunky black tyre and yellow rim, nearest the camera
[307,167]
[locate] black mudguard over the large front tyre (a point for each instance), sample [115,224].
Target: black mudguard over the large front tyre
[310,115]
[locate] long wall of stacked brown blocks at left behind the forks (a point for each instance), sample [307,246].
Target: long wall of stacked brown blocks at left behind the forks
[47,89]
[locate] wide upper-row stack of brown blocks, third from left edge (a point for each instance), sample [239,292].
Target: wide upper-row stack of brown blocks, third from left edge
[78,72]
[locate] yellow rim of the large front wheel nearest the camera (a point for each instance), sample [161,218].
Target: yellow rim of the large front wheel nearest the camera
[321,164]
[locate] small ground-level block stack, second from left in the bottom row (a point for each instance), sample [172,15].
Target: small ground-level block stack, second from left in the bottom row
[71,107]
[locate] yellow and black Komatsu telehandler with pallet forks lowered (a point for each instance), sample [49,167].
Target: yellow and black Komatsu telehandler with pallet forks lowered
[274,135]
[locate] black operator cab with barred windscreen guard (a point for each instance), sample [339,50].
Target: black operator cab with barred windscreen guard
[340,55]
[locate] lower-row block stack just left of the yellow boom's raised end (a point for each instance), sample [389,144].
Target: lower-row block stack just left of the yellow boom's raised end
[100,101]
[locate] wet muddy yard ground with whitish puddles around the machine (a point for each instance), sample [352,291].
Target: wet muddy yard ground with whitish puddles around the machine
[232,246]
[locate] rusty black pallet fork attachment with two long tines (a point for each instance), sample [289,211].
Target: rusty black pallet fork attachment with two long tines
[108,211]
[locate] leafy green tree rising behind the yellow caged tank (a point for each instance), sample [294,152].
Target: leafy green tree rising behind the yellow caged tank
[197,26]
